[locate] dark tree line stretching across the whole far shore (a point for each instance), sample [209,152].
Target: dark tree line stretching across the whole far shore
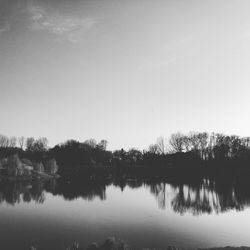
[179,147]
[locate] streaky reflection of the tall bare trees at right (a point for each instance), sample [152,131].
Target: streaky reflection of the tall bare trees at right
[207,197]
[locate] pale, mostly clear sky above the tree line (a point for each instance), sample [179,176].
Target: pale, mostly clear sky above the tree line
[125,71]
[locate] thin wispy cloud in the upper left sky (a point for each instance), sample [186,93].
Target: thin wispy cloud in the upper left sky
[67,27]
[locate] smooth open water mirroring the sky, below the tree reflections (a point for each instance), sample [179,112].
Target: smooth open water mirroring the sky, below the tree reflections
[132,215]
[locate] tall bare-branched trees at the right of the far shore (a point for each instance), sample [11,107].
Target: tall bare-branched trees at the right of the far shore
[204,145]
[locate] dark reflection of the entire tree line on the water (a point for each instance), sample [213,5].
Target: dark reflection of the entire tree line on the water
[204,195]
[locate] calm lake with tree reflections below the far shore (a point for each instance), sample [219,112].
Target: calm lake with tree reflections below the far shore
[144,215]
